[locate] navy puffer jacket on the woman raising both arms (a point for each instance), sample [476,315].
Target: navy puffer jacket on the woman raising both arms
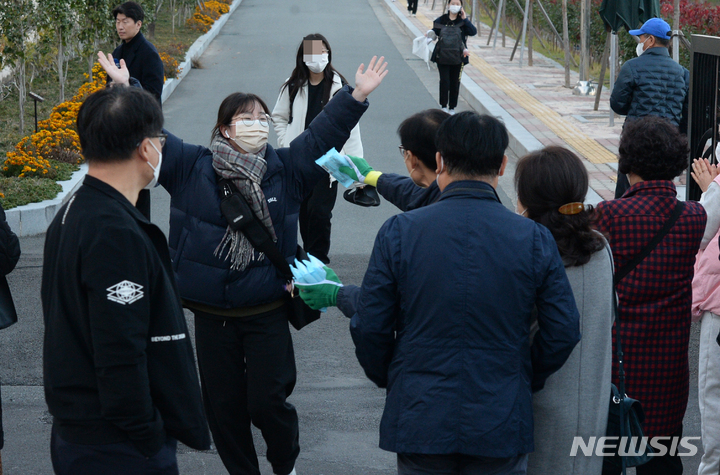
[197,226]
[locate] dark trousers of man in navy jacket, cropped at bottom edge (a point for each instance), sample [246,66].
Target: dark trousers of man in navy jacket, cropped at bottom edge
[460,464]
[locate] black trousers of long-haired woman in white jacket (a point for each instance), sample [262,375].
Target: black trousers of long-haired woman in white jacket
[315,215]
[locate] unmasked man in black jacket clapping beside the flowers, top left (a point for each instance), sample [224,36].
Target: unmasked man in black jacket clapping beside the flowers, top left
[141,57]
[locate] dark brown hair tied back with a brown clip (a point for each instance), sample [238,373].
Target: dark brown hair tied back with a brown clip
[547,179]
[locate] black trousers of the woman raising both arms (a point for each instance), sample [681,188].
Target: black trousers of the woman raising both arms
[247,370]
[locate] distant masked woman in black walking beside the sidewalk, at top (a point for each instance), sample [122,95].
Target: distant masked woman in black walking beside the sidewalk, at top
[451,72]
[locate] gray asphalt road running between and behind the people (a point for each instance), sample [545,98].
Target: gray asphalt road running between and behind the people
[339,408]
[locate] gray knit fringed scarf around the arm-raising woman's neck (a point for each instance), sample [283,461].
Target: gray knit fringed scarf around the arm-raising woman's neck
[246,171]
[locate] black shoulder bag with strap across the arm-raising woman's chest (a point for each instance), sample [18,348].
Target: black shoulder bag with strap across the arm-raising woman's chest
[240,217]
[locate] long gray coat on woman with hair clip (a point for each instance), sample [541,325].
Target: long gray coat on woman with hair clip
[574,401]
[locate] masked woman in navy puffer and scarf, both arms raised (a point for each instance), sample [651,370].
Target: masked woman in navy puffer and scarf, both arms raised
[244,348]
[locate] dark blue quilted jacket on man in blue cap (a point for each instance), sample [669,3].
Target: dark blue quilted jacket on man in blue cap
[652,84]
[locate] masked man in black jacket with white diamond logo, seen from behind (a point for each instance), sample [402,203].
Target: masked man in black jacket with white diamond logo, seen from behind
[118,366]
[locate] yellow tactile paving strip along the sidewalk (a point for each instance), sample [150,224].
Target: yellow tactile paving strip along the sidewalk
[584,145]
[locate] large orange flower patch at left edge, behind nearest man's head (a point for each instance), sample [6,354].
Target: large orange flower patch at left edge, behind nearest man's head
[56,138]
